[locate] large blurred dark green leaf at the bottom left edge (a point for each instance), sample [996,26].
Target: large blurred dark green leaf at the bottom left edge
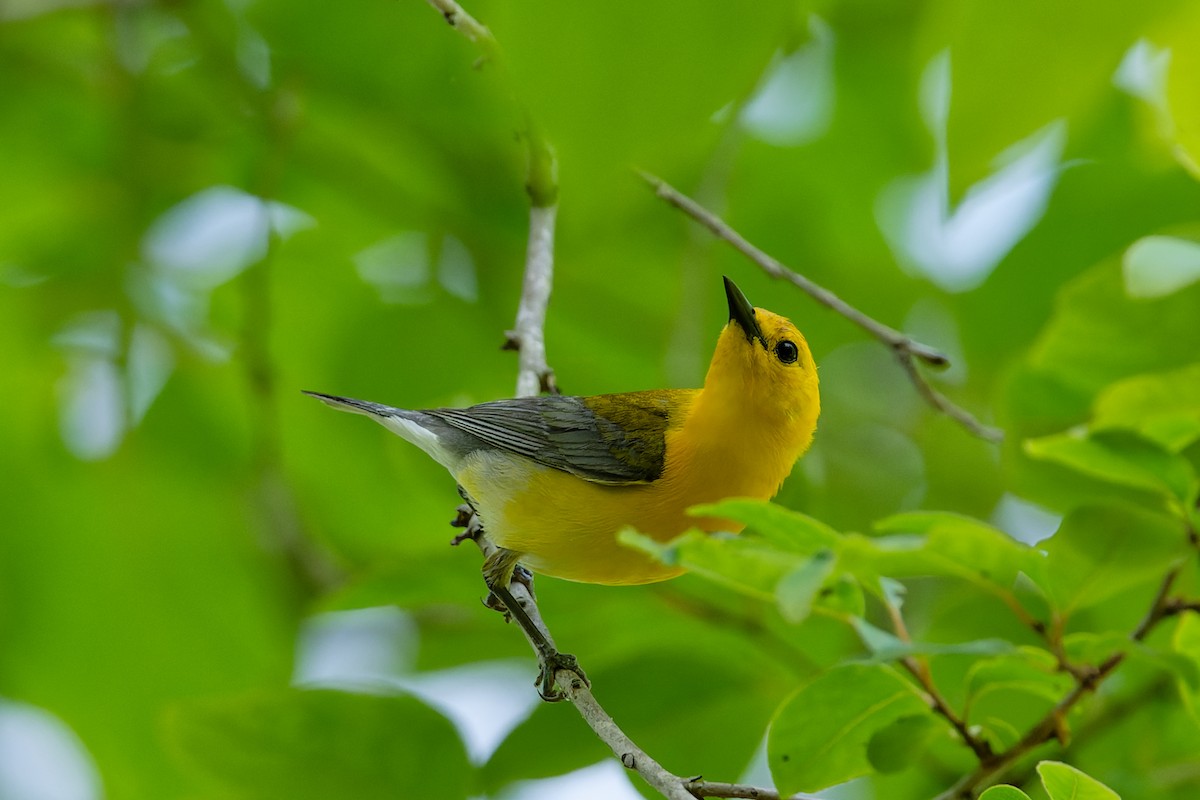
[321,744]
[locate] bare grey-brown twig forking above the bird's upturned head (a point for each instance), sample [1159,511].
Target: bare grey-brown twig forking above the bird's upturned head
[908,350]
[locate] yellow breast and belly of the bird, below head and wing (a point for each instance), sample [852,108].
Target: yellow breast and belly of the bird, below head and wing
[567,527]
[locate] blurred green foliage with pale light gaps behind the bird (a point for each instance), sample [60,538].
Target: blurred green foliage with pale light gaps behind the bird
[209,206]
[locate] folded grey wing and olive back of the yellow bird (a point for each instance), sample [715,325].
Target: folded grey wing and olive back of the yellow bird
[601,440]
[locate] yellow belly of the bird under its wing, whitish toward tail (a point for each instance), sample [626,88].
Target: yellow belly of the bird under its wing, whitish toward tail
[567,527]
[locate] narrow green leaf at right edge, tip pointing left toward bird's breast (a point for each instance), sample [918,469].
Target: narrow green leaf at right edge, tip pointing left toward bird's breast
[1124,460]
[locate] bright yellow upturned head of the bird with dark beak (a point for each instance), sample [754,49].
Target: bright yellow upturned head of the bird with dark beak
[764,368]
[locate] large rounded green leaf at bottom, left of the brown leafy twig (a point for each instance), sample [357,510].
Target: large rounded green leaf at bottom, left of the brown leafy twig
[821,735]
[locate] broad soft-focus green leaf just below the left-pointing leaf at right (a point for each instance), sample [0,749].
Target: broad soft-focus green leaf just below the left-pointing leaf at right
[1101,551]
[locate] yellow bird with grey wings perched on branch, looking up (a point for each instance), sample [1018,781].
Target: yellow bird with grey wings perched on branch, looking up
[554,479]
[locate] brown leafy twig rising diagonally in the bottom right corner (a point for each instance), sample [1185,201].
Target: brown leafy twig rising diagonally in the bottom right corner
[1053,725]
